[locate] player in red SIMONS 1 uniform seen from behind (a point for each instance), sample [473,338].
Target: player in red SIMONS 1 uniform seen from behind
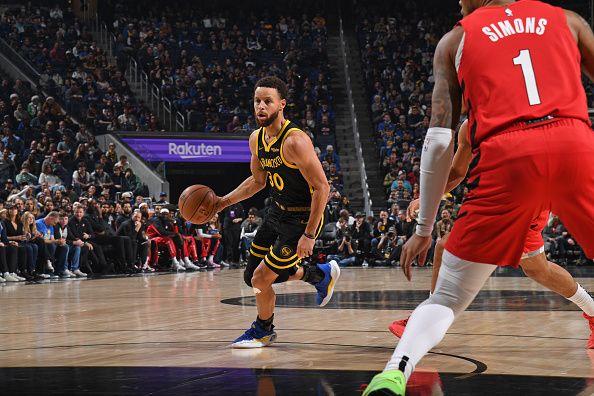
[516,65]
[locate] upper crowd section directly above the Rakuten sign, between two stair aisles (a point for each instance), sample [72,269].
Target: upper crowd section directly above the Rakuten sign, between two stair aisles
[208,60]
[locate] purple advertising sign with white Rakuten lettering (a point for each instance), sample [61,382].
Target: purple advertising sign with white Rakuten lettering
[190,150]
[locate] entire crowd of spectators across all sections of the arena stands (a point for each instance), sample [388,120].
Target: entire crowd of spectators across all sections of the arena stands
[69,209]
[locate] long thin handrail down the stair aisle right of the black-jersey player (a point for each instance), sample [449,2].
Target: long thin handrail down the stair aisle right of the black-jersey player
[357,139]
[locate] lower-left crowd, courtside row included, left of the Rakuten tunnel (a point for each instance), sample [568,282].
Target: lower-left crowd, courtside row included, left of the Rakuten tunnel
[69,209]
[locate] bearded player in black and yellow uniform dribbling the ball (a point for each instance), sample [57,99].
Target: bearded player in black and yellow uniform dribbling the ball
[283,157]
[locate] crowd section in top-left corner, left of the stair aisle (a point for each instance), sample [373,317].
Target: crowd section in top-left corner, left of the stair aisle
[74,70]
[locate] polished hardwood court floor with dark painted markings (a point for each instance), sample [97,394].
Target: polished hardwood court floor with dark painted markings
[168,334]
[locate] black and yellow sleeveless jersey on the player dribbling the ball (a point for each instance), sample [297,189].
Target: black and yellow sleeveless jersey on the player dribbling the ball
[287,185]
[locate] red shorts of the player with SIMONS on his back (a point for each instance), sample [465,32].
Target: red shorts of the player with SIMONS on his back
[519,175]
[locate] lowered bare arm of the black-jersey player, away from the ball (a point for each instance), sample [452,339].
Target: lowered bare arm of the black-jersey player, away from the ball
[299,150]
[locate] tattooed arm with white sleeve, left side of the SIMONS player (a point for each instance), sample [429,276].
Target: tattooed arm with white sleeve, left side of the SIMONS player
[438,150]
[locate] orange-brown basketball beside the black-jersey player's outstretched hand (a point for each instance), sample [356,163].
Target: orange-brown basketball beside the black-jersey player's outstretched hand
[197,204]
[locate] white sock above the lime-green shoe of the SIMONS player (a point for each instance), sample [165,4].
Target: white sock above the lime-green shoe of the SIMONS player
[425,329]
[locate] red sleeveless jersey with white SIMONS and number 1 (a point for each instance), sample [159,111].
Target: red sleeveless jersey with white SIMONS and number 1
[518,63]
